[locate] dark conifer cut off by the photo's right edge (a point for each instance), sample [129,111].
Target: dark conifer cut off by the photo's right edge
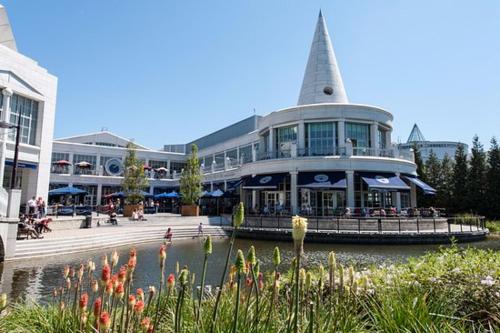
[493,181]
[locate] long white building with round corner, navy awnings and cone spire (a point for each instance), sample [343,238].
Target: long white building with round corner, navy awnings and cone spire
[320,156]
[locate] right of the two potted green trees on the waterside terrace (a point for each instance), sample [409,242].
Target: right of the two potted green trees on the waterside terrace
[191,177]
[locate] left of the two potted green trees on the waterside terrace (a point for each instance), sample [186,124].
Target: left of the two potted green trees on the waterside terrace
[134,179]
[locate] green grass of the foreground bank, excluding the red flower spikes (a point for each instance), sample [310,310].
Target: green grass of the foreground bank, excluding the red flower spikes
[452,290]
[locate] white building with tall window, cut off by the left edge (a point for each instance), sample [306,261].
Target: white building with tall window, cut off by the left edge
[27,90]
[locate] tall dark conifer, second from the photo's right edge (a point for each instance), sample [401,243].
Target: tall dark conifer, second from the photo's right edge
[476,180]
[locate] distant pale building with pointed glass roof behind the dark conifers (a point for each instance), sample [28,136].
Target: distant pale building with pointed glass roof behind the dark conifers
[440,148]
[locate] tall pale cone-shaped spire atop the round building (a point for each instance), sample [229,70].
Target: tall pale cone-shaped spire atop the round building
[322,80]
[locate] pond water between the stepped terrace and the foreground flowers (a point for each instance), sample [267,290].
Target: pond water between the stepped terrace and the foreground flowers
[37,278]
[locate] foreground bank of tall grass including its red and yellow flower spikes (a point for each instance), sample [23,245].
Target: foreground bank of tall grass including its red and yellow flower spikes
[452,290]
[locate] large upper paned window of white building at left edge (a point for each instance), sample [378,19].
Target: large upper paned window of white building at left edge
[28,109]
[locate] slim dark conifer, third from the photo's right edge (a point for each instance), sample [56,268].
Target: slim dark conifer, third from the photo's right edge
[458,184]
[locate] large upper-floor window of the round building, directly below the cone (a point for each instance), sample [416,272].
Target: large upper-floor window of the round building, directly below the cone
[320,138]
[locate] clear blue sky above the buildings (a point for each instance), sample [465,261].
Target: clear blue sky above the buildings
[169,72]
